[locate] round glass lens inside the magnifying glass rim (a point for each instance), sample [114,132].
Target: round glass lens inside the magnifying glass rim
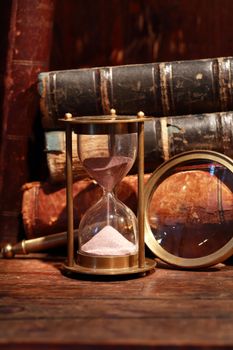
[191,209]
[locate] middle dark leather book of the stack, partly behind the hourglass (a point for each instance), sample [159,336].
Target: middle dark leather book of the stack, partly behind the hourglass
[164,137]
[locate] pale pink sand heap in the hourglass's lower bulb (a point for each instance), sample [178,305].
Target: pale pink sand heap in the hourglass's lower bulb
[109,241]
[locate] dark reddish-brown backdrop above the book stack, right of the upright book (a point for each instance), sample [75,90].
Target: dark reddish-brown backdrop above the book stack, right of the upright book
[93,33]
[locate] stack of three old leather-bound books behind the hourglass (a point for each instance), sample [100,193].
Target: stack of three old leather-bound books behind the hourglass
[191,102]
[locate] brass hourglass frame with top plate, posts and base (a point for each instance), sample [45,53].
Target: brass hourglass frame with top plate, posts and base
[95,125]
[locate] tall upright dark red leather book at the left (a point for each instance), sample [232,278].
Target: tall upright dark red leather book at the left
[30,33]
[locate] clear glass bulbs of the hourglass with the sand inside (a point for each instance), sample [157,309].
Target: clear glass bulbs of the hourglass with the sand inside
[109,227]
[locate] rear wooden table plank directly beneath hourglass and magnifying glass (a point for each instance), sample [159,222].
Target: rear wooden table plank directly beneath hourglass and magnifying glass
[164,283]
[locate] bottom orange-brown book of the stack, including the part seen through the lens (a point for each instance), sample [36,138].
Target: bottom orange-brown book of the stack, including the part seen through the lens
[207,201]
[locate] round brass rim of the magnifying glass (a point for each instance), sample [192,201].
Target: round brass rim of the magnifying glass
[220,255]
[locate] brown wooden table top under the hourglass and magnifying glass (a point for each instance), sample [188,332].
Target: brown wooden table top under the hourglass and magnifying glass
[168,309]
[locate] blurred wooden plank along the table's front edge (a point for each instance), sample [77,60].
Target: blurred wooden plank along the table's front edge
[156,332]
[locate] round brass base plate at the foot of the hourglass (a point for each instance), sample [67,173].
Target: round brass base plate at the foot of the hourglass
[135,270]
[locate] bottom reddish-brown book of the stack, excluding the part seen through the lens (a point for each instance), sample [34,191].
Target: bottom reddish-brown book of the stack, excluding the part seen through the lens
[44,204]
